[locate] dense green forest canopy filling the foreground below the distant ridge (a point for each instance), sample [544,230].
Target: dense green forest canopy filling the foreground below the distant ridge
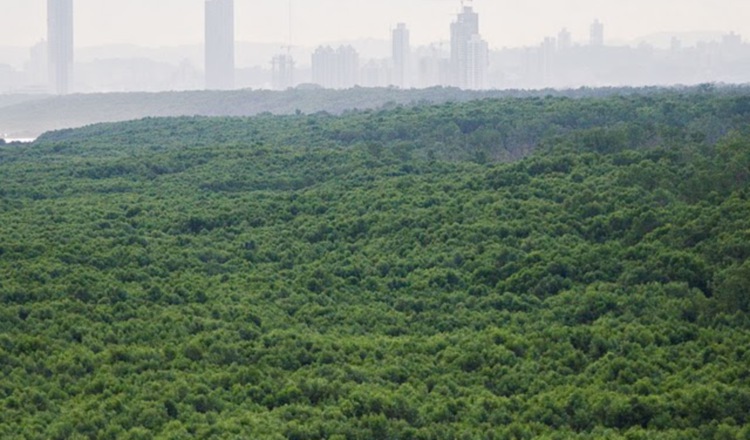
[514,268]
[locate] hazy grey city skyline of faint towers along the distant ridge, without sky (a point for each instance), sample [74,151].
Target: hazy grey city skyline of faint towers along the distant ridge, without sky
[465,61]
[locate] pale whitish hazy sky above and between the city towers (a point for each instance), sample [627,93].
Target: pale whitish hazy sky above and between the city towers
[502,22]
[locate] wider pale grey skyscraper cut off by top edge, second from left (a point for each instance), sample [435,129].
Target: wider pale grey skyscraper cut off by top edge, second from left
[219,44]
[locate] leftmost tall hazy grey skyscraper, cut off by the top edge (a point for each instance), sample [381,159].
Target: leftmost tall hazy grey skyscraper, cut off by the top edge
[60,45]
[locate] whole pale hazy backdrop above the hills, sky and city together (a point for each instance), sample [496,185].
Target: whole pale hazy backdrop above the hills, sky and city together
[85,46]
